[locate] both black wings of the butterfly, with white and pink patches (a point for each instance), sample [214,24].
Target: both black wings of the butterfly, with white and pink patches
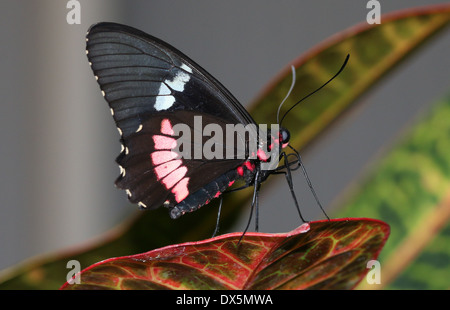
[146,81]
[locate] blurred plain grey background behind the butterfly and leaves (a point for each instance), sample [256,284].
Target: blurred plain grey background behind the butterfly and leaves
[59,142]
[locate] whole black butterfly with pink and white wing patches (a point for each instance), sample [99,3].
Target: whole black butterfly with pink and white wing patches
[153,90]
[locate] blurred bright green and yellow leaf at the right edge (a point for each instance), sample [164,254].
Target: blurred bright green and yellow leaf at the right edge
[410,189]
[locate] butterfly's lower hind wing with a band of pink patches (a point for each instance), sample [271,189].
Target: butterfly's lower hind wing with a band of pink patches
[155,172]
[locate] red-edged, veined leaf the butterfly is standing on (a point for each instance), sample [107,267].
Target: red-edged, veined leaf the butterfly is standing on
[319,255]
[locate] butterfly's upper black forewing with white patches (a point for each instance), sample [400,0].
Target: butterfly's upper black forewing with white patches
[140,74]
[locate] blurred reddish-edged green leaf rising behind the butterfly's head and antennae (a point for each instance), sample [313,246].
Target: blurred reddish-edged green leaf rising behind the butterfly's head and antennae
[374,51]
